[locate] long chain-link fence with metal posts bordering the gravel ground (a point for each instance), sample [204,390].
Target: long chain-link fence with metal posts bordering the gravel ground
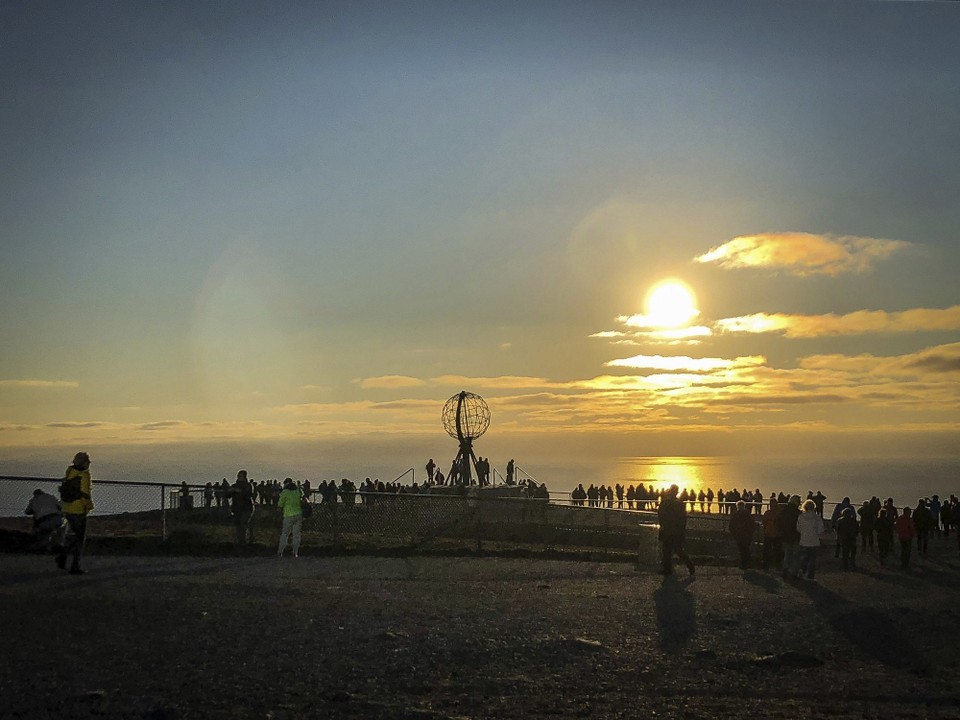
[195,518]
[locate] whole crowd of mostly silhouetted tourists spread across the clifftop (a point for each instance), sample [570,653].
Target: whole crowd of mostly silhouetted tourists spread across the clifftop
[788,530]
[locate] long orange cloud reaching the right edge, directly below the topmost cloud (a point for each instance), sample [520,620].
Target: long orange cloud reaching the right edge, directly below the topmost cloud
[855,323]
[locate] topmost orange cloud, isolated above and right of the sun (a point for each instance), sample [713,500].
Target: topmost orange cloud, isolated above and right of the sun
[802,253]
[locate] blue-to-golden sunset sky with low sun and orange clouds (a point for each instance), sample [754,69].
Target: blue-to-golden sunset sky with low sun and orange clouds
[277,227]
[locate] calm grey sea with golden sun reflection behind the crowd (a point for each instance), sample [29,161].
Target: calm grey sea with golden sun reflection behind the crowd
[902,478]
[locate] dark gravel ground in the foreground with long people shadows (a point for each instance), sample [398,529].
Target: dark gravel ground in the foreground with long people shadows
[474,637]
